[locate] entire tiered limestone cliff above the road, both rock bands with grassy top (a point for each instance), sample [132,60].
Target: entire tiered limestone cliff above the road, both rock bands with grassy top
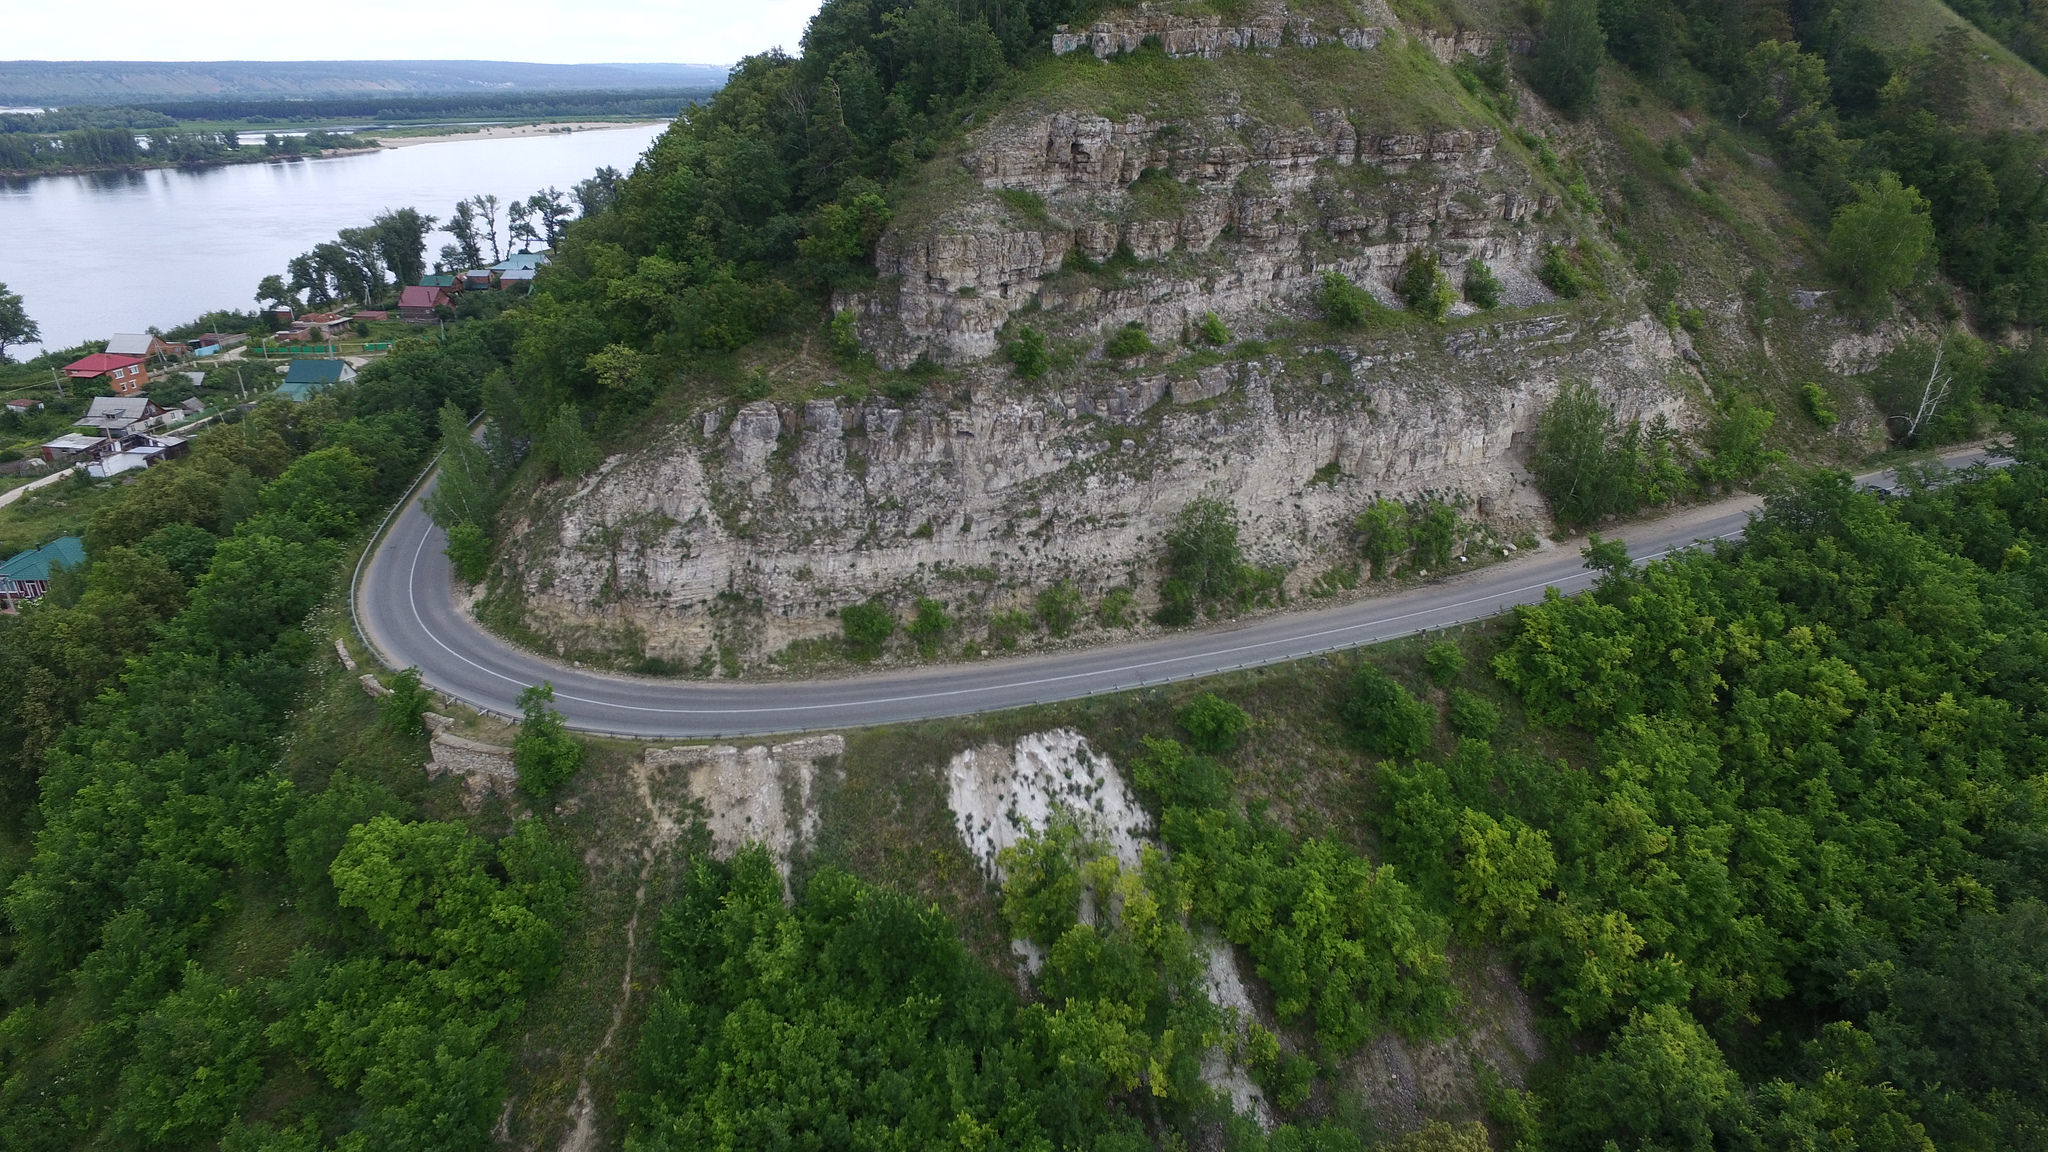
[1158,169]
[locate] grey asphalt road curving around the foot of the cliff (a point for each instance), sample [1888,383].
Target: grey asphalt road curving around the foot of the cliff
[409,612]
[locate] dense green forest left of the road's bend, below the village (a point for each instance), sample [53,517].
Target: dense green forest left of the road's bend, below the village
[212,938]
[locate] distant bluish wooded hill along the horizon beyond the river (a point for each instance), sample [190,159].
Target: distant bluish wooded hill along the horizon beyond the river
[122,83]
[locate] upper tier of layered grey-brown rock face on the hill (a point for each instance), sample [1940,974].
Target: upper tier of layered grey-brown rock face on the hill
[1226,216]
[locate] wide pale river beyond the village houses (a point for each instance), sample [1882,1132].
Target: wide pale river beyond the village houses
[124,251]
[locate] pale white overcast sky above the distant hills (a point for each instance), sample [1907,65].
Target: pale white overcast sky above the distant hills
[544,32]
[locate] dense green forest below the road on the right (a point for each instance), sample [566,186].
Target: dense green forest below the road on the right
[1787,893]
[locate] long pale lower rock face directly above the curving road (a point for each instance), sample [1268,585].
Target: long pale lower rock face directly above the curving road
[751,538]
